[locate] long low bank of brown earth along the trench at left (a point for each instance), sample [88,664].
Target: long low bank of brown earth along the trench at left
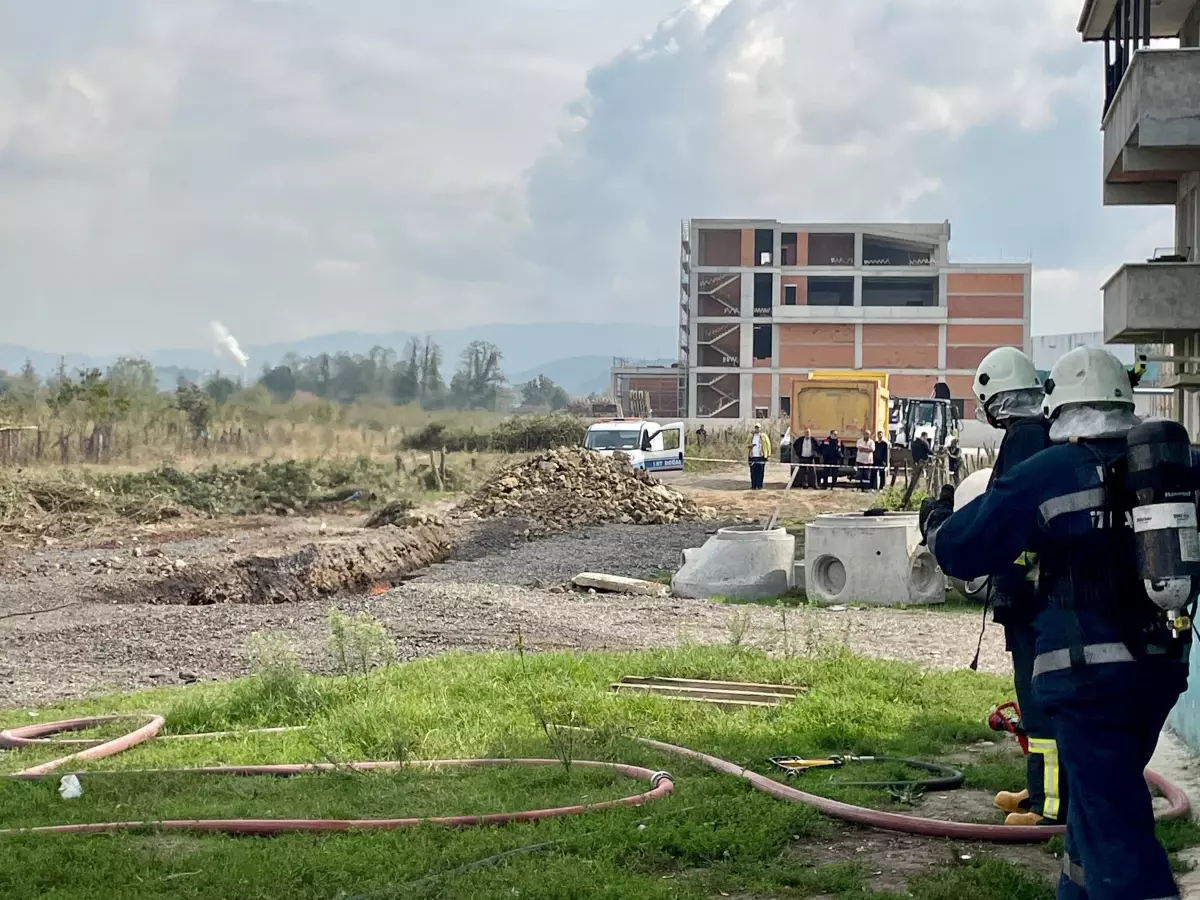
[344,565]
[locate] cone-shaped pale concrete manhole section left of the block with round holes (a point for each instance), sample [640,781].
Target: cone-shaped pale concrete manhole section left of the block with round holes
[740,563]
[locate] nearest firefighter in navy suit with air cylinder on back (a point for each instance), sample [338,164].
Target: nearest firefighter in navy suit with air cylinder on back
[1111,663]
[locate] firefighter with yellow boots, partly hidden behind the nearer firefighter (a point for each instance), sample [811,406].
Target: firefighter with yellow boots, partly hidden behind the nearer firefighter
[1009,397]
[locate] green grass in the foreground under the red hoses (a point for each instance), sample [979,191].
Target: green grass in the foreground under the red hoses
[715,835]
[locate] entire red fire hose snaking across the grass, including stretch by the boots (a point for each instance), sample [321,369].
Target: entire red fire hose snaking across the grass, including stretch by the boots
[662,785]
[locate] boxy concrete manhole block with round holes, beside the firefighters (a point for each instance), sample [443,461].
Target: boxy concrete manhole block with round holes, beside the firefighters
[875,561]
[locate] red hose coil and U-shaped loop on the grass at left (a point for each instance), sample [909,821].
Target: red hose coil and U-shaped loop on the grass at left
[35,735]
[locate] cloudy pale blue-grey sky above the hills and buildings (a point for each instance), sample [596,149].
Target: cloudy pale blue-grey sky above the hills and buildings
[302,167]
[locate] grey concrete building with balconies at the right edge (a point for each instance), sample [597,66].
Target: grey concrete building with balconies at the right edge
[1151,124]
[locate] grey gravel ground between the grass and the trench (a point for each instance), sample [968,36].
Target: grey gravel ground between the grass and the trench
[499,585]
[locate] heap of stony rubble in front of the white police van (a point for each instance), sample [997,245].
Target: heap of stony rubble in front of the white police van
[571,488]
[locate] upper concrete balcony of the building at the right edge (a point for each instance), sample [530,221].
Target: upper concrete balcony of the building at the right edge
[1153,128]
